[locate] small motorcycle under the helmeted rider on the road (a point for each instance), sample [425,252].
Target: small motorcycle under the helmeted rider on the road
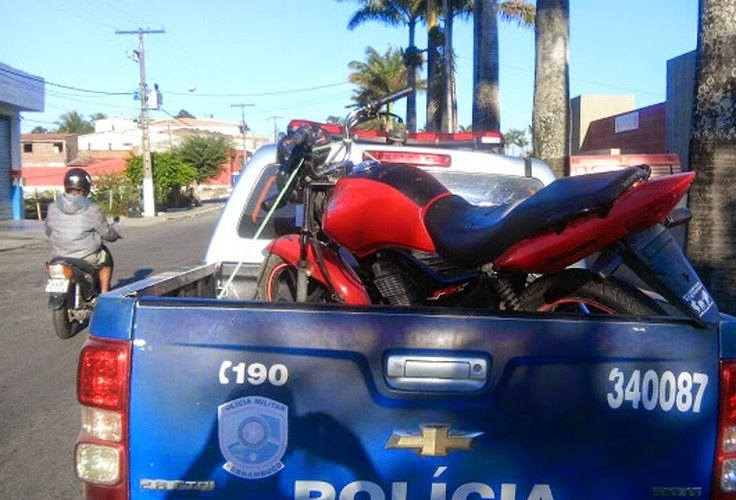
[73,288]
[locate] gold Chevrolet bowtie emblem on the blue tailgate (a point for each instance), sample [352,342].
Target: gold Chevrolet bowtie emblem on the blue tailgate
[435,440]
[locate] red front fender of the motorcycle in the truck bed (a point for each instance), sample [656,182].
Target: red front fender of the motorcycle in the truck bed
[341,276]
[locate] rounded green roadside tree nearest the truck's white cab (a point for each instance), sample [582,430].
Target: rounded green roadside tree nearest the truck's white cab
[206,152]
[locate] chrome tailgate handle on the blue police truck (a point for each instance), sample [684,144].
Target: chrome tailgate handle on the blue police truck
[436,373]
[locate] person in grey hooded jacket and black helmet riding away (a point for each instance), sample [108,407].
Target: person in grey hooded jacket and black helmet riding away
[77,227]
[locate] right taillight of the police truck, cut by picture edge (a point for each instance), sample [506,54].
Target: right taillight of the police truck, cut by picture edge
[724,477]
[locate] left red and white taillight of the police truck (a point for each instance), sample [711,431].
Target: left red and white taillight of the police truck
[103,386]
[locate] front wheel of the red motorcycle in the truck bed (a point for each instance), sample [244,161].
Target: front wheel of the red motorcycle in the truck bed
[277,283]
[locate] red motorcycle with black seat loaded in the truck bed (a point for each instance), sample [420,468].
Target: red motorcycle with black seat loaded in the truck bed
[388,233]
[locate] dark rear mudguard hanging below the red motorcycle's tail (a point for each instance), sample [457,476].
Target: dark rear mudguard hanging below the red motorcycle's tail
[656,258]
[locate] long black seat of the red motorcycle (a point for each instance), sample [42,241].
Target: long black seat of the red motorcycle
[471,235]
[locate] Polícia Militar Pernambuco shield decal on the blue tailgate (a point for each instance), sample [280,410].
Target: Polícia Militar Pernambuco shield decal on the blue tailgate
[253,433]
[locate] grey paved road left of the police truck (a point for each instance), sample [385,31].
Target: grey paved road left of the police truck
[39,415]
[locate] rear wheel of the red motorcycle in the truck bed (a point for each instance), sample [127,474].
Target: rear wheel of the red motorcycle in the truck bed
[577,291]
